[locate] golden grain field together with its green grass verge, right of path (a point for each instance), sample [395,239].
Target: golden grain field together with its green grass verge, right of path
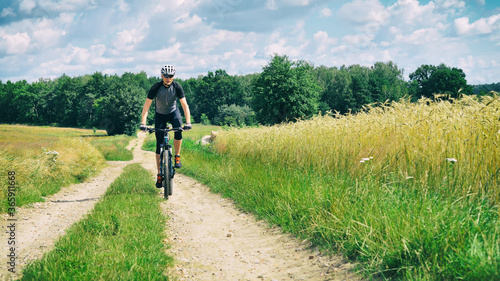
[408,190]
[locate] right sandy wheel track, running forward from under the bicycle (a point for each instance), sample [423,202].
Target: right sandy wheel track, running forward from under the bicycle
[212,240]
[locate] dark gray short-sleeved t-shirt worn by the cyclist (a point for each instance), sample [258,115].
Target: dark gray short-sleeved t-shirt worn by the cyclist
[166,98]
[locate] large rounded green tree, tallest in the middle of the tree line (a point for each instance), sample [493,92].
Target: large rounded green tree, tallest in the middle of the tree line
[285,90]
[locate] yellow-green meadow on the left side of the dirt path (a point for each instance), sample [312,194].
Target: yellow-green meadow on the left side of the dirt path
[45,159]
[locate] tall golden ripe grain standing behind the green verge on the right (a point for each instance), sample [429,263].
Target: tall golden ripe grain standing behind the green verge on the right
[445,143]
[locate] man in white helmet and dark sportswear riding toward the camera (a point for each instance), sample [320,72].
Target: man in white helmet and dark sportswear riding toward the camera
[166,93]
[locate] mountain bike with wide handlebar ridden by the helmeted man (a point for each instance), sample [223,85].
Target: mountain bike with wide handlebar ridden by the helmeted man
[167,168]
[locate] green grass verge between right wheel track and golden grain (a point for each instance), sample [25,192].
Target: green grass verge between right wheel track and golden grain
[392,229]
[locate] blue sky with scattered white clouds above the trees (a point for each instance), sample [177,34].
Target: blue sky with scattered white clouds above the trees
[49,38]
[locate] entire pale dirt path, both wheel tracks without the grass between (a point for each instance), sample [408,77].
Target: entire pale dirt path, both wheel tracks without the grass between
[210,238]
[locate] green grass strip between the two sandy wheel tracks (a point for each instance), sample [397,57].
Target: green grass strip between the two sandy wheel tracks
[121,239]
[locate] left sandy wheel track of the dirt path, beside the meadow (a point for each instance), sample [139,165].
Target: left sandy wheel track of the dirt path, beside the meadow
[39,226]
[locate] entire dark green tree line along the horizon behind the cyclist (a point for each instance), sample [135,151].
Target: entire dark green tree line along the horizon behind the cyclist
[285,90]
